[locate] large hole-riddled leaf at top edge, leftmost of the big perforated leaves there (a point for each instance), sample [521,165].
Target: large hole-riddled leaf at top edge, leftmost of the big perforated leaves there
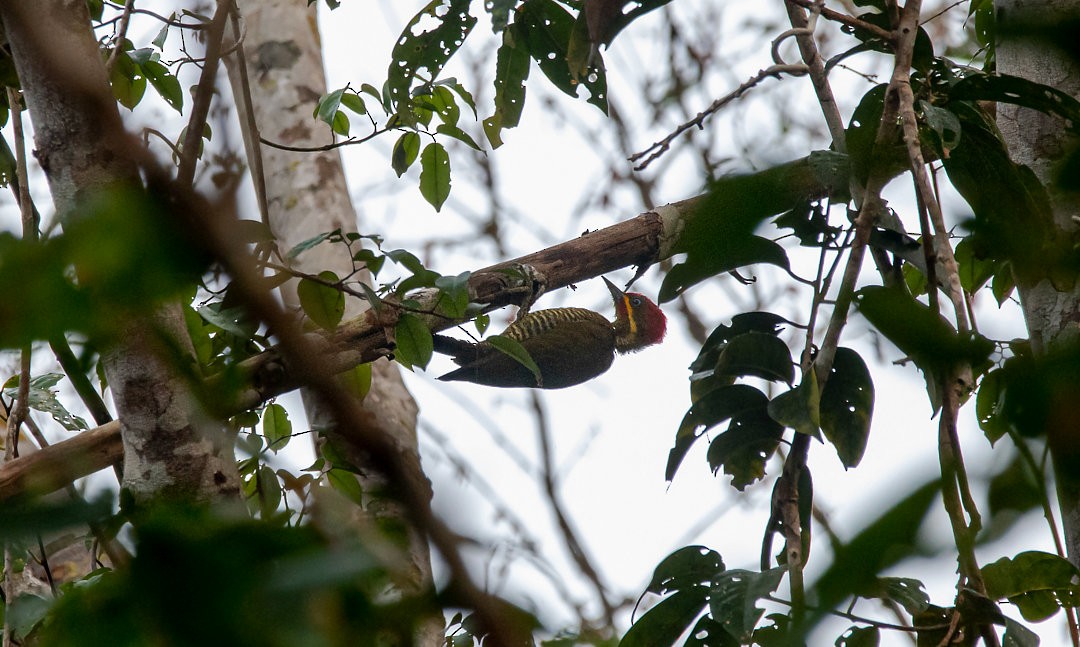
[420,55]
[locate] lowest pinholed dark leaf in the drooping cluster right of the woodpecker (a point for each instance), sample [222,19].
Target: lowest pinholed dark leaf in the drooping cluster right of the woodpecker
[744,450]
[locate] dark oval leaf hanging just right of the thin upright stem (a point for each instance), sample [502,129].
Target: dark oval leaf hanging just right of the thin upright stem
[847,407]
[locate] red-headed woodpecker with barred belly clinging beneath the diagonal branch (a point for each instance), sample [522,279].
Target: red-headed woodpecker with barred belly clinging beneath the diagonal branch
[570,345]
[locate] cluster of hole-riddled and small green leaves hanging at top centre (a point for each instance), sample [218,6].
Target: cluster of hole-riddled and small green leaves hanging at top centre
[553,34]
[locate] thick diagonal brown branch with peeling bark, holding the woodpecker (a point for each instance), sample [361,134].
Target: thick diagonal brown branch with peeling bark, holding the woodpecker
[640,241]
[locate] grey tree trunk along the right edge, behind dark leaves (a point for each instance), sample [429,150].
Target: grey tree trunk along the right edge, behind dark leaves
[1041,143]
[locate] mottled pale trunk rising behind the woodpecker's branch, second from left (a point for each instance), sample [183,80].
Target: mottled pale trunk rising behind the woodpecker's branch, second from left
[307,195]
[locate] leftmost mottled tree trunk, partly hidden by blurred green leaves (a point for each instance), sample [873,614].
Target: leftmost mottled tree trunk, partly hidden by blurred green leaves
[80,143]
